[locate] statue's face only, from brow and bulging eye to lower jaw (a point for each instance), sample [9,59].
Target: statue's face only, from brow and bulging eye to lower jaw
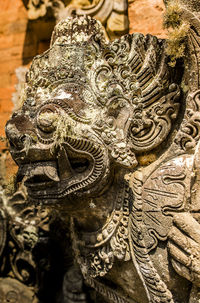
[67,154]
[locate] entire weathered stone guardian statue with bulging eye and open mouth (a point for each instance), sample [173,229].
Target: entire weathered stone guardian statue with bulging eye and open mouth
[108,137]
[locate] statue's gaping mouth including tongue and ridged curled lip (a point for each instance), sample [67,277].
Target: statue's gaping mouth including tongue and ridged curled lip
[72,171]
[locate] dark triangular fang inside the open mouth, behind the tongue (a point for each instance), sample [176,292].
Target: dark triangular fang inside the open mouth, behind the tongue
[65,169]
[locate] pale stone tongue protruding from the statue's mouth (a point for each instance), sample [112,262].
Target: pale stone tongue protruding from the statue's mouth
[47,169]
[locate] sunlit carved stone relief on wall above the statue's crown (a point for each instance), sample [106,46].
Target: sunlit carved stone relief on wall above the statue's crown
[113,14]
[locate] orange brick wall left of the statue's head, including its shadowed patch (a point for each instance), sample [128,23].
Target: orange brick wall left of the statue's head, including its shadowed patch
[20,41]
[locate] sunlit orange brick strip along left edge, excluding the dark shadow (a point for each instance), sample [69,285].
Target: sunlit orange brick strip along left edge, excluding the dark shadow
[13,23]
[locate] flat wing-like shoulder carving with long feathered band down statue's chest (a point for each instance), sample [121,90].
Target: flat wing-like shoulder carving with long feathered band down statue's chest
[164,193]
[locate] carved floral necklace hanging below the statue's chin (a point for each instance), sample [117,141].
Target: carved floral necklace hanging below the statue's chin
[96,251]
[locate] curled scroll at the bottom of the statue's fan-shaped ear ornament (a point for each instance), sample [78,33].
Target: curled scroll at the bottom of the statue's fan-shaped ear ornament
[152,123]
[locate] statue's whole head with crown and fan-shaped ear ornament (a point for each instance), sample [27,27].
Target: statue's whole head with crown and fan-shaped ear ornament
[88,108]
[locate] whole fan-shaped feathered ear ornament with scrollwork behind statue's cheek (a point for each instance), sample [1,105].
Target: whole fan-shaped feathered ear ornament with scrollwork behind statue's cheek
[145,80]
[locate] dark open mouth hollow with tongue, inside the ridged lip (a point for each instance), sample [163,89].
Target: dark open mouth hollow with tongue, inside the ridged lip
[48,179]
